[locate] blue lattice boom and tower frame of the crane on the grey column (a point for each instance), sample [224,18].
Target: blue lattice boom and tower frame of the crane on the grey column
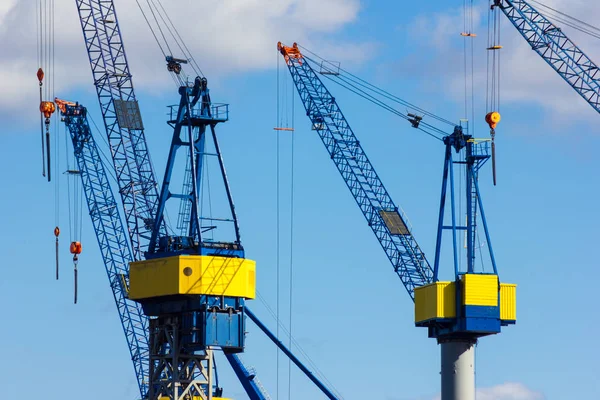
[390,227]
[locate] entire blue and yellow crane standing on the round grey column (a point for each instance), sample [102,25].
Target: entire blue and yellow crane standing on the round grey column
[458,312]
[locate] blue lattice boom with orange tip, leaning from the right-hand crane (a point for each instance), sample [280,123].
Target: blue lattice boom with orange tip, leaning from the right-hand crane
[383,216]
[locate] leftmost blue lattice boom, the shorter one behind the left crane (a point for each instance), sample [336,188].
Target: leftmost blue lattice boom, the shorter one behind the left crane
[112,239]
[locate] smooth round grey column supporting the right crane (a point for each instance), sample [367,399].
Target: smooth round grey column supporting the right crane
[458,369]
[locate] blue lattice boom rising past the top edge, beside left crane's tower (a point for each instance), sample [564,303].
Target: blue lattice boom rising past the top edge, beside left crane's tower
[120,111]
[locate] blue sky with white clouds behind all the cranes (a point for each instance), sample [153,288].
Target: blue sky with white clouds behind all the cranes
[350,311]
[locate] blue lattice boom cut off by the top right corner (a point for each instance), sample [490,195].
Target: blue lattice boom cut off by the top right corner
[548,40]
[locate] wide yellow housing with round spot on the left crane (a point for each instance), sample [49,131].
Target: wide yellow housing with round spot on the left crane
[210,275]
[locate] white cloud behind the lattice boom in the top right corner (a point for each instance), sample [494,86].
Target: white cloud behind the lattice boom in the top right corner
[525,77]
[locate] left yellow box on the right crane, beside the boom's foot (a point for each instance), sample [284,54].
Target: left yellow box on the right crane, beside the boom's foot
[436,300]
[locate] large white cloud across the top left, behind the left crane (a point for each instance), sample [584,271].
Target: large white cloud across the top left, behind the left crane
[225,36]
